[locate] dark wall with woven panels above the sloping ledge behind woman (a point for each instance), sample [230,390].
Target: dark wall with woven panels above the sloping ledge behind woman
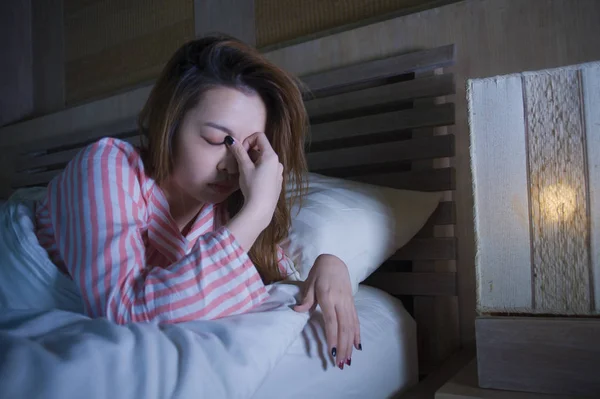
[82,51]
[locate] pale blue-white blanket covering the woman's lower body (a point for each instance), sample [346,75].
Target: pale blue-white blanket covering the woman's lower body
[51,353]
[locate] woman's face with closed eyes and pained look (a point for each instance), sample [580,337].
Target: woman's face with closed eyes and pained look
[204,169]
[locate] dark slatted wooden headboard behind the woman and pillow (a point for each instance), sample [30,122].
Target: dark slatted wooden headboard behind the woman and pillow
[379,122]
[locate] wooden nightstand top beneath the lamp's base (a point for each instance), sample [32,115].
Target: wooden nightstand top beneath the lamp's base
[464,386]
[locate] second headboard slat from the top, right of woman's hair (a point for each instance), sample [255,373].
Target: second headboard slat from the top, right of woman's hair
[431,86]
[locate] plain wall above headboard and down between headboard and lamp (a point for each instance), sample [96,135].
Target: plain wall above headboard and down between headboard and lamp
[492,37]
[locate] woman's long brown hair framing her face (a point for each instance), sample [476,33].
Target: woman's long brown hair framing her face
[221,60]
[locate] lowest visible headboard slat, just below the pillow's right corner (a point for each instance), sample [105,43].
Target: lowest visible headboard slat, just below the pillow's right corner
[415,283]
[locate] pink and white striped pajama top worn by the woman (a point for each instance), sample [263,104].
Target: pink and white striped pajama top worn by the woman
[106,224]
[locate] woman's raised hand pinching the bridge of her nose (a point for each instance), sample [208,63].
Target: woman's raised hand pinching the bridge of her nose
[261,176]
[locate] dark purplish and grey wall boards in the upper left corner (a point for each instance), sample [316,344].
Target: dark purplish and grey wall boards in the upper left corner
[32,68]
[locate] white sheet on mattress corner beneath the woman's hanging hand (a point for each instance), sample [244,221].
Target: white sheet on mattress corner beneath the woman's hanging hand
[387,364]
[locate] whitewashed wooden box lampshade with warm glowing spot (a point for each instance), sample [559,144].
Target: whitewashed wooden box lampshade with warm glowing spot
[533,222]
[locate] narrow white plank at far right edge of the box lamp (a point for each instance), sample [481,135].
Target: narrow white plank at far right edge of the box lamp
[591,101]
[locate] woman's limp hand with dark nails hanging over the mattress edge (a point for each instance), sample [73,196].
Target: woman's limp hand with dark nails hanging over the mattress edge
[328,285]
